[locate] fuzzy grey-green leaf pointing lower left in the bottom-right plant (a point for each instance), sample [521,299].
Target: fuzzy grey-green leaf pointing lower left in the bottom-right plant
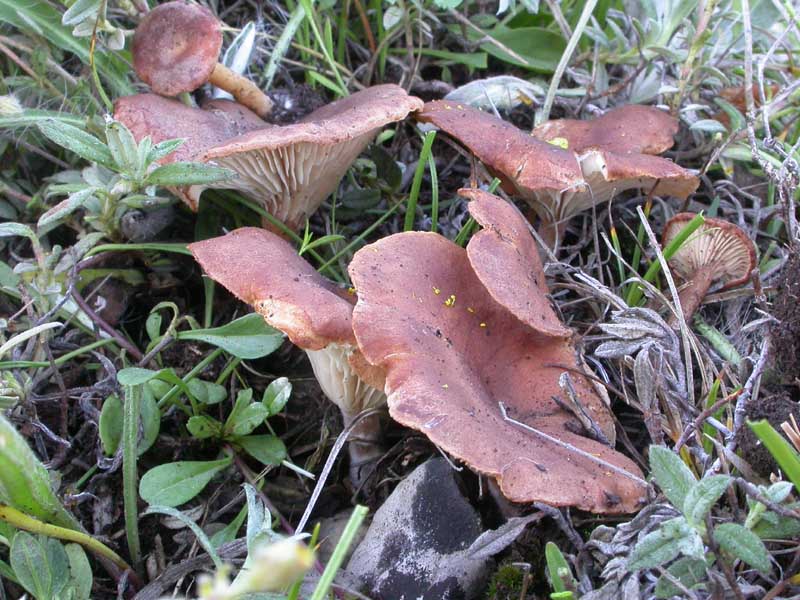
[674,537]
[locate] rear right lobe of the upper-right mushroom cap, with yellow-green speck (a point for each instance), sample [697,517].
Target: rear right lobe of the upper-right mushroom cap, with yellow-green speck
[627,129]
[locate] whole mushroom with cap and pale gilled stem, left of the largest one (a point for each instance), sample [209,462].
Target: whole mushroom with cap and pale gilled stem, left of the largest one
[263,270]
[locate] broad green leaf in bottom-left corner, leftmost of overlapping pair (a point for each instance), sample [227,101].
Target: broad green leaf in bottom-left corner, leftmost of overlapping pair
[41,565]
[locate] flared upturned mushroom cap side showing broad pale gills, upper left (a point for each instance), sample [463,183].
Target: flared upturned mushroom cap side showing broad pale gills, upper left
[291,169]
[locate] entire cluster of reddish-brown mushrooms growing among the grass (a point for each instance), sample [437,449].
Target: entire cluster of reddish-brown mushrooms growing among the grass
[462,344]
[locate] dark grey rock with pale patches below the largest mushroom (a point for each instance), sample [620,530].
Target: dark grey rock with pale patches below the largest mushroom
[419,545]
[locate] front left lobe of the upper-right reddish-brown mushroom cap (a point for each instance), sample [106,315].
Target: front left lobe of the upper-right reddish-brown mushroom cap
[523,163]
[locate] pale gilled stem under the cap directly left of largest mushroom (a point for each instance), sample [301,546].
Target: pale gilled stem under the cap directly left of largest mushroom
[352,395]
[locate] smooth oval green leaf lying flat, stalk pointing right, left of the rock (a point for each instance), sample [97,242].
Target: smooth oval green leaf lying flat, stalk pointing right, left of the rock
[173,484]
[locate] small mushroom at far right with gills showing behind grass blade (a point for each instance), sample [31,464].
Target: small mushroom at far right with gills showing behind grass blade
[717,252]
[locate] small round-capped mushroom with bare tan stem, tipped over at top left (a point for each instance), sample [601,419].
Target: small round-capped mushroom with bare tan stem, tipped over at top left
[176,50]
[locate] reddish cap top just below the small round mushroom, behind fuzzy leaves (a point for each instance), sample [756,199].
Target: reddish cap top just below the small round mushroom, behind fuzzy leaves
[165,119]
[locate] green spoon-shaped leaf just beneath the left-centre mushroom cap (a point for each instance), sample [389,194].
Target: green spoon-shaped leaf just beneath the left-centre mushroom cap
[247,337]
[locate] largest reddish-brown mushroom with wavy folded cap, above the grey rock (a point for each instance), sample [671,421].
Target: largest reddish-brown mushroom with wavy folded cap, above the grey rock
[457,349]
